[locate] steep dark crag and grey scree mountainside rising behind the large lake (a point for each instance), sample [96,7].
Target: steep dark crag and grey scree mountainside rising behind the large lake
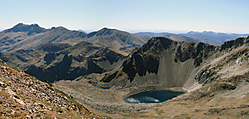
[162,62]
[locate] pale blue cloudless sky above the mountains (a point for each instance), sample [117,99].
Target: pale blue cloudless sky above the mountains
[230,16]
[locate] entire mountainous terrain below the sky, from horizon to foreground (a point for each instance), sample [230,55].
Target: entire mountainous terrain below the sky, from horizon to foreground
[100,71]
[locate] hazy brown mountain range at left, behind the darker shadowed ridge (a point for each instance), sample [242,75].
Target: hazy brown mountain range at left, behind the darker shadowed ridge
[28,37]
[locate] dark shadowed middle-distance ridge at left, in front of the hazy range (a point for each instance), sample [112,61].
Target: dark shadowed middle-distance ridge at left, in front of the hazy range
[57,61]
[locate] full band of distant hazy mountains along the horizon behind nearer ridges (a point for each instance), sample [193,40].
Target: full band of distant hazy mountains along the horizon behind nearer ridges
[23,36]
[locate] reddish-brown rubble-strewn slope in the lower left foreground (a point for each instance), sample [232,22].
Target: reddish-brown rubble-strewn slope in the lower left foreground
[23,96]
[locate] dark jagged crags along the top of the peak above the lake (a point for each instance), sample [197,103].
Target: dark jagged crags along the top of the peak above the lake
[146,59]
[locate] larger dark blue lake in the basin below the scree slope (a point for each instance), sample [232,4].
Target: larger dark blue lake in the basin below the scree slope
[152,96]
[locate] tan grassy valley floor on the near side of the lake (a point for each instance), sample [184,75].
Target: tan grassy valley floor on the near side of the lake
[109,102]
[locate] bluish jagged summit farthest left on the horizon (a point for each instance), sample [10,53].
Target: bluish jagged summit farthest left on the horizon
[20,27]
